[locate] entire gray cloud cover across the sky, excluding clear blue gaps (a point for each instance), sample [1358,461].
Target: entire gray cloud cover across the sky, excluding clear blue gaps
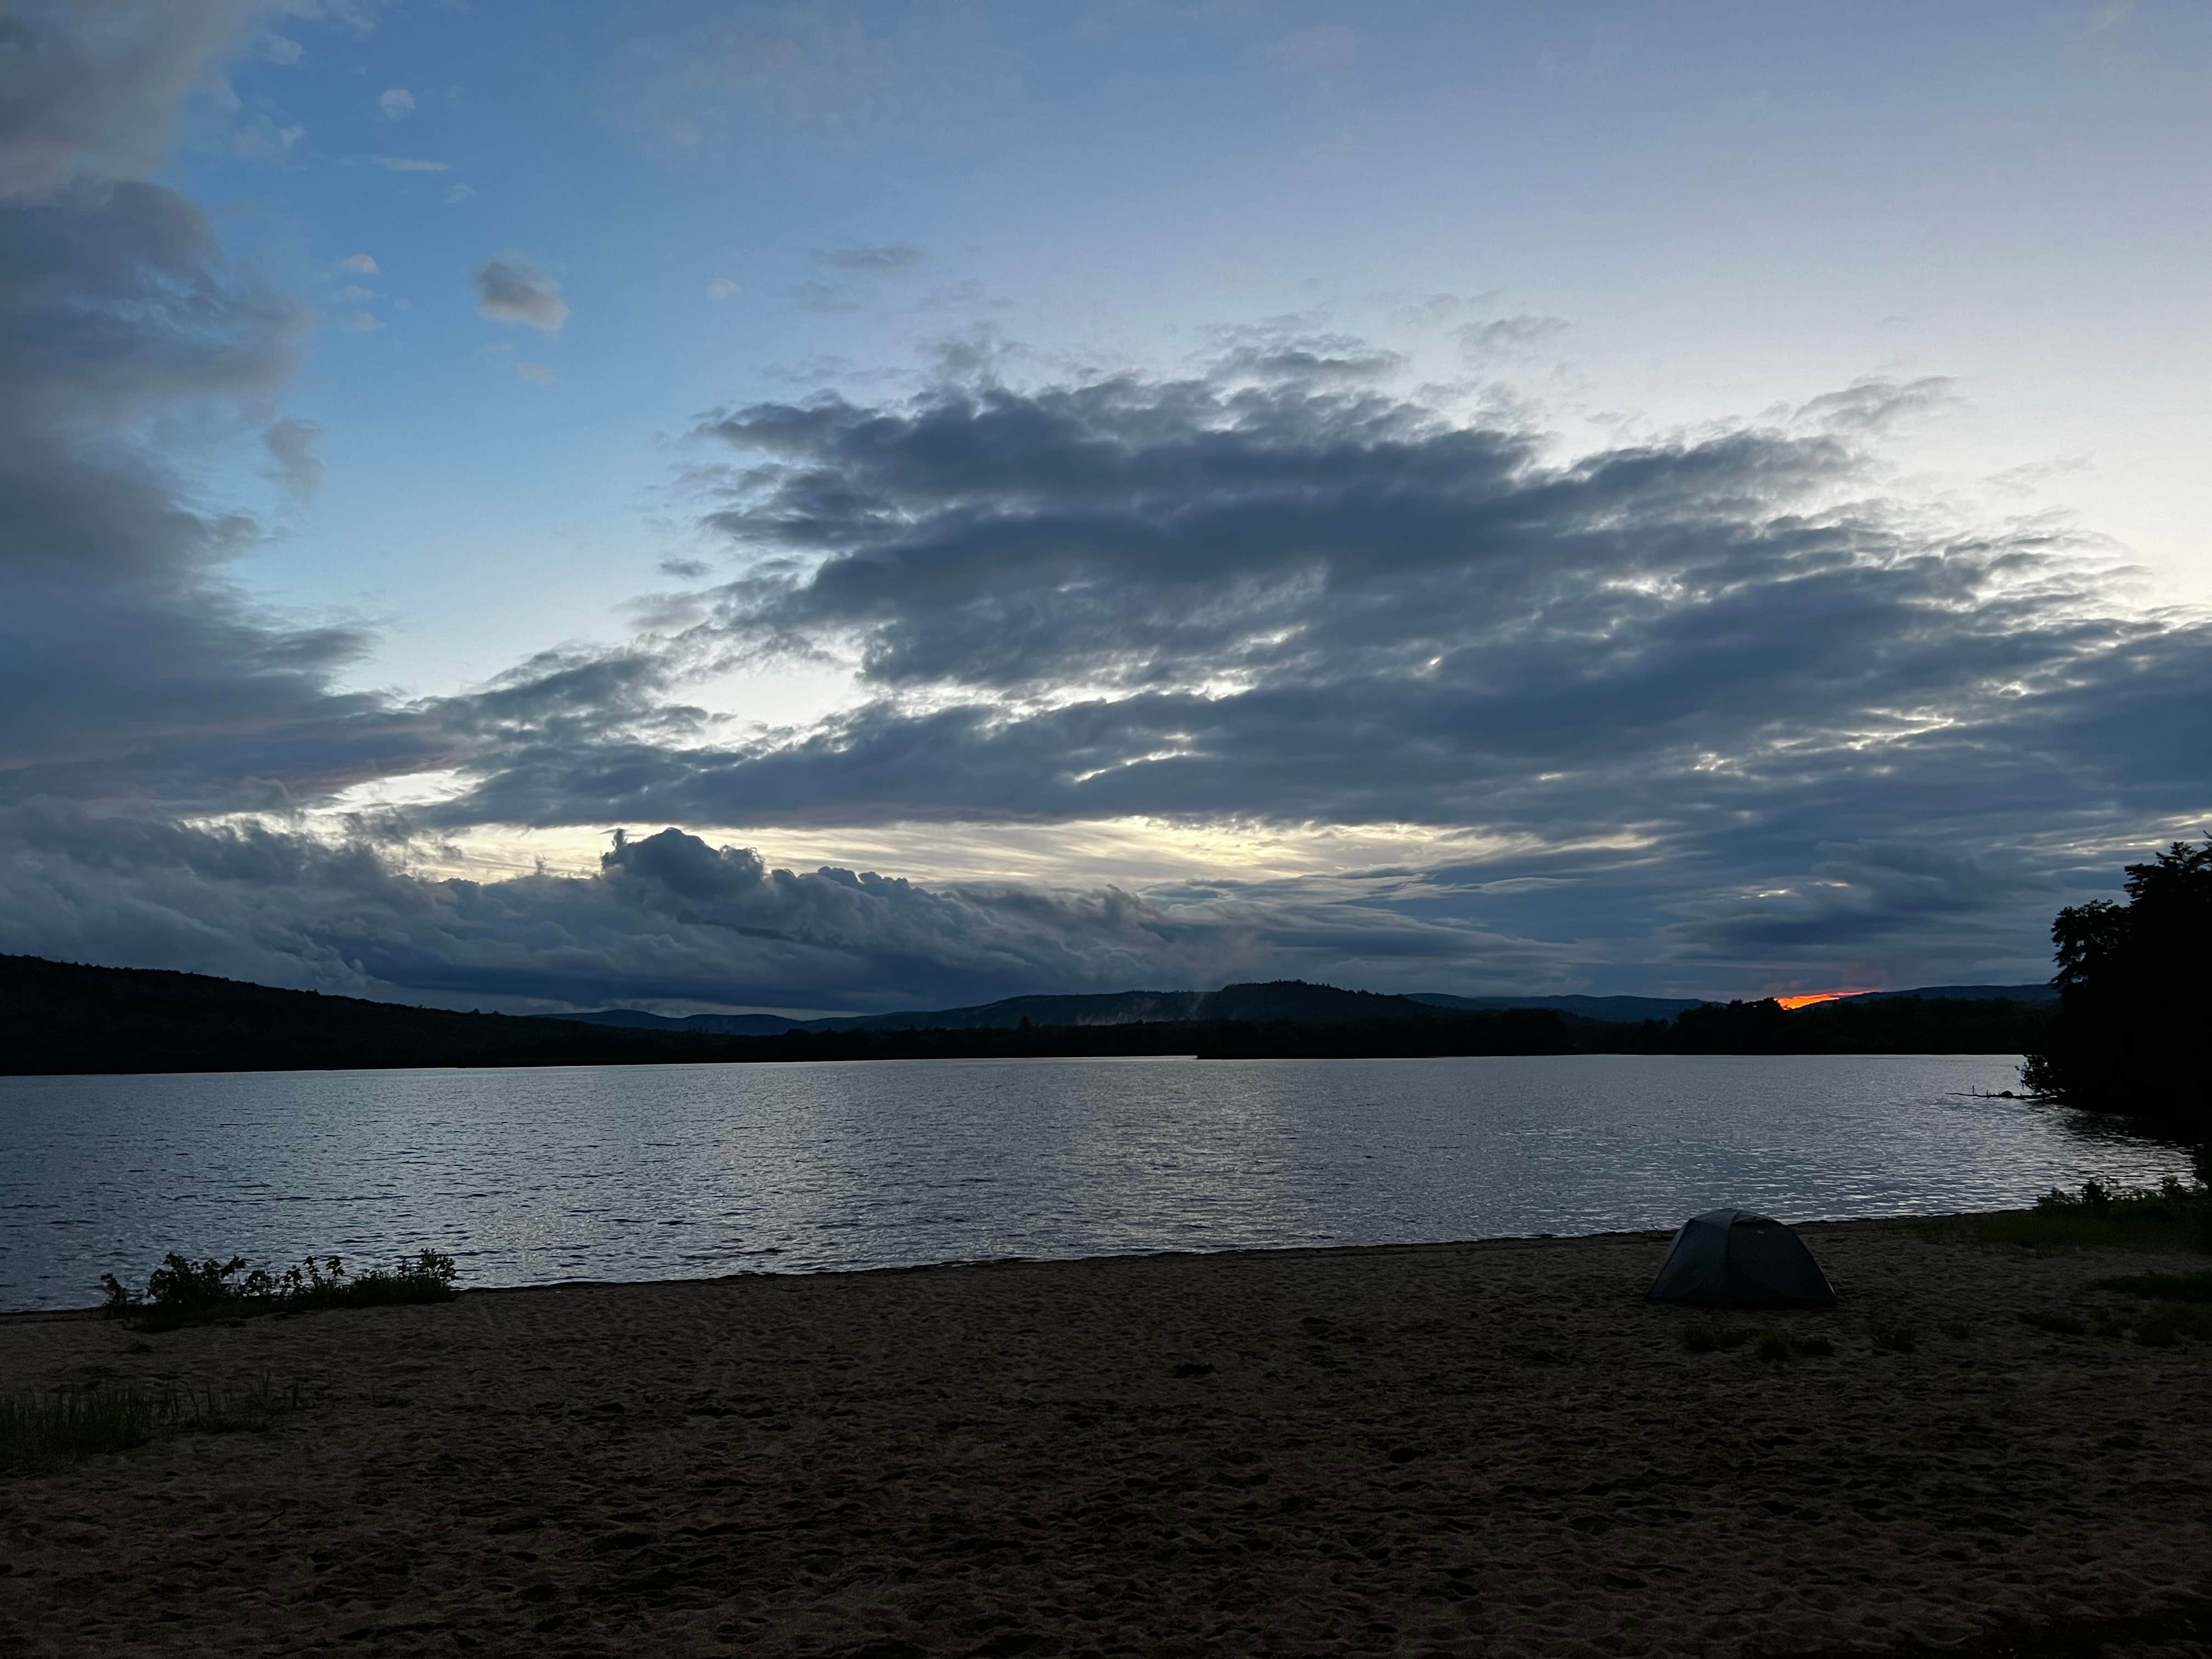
[1733,718]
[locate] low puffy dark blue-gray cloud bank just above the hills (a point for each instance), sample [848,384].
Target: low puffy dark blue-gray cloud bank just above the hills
[665,919]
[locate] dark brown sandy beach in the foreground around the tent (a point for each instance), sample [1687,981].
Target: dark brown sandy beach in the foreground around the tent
[1488,1448]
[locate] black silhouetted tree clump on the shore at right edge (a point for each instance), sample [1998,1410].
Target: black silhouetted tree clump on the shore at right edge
[2129,1034]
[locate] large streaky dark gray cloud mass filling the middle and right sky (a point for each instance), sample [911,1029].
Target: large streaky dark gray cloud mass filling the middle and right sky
[1288,601]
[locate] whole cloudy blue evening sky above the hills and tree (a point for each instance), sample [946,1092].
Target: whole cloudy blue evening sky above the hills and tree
[844,508]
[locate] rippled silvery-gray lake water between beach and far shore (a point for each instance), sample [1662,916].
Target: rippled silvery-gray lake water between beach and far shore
[691,1171]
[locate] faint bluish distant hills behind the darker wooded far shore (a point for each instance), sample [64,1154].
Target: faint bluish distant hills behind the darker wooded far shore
[1275,1001]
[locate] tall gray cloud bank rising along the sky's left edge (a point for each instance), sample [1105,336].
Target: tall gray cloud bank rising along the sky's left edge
[129,667]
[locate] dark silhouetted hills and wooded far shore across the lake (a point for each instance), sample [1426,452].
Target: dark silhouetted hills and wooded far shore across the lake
[81,1019]
